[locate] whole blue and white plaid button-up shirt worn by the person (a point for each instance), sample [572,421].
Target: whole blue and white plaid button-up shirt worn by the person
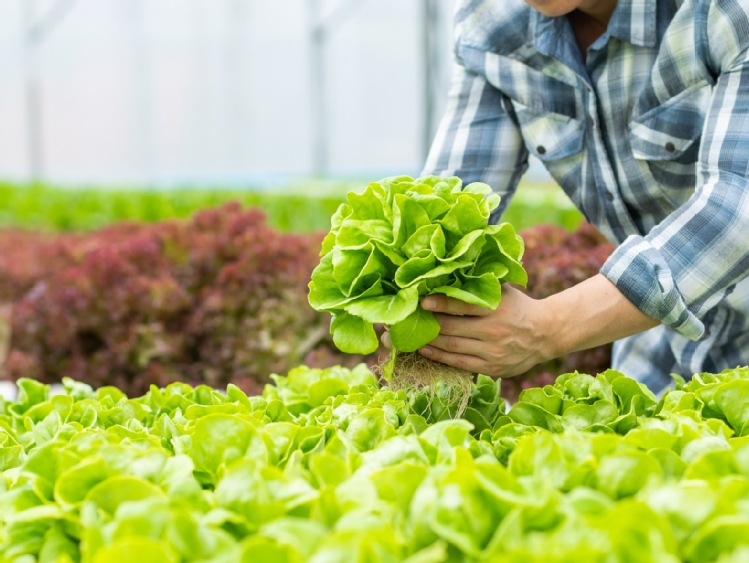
[649,137]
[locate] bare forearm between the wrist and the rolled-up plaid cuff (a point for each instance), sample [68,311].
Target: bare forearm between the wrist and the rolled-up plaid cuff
[592,313]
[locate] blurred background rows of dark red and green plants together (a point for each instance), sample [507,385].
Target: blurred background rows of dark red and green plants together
[210,286]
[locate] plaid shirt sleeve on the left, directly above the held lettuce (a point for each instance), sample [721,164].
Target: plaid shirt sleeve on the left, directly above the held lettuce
[476,139]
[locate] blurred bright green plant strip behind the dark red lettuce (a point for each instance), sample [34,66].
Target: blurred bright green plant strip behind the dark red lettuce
[302,207]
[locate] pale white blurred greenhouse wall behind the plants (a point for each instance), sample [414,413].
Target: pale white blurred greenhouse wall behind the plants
[170,92]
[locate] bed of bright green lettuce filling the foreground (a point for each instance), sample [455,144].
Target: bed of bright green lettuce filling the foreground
[327,466]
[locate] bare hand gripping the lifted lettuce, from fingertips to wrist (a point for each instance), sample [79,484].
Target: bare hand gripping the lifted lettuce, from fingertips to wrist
[503,342]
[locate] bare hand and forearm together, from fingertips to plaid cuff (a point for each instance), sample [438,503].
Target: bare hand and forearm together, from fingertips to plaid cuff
[523,332]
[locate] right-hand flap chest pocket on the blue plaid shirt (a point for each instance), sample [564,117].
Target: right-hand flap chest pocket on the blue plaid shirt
[666,140]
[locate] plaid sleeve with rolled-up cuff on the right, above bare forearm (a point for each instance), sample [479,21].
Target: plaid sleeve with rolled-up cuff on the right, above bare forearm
[689,262]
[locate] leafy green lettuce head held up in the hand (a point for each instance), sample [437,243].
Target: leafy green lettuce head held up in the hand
[402,239]
